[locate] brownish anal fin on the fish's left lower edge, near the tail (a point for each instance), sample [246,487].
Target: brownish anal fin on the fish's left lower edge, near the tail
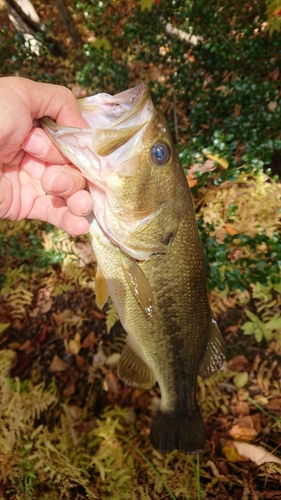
[133,370]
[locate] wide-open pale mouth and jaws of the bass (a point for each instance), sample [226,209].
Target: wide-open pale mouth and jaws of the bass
[112,121]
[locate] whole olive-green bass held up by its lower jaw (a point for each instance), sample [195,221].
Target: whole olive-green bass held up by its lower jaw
[150,259]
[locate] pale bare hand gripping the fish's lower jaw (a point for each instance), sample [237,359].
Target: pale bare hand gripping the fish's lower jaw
[36,181]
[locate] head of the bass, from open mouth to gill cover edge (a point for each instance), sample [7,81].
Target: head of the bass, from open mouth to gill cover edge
[132,168]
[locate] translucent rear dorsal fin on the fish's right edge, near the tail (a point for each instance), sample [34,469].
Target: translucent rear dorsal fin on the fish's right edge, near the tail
[214,355]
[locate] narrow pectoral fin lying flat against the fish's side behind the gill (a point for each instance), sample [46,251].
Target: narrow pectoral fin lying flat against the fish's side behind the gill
[139,286]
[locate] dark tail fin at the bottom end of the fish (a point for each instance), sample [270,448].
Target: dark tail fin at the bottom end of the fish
[185,434]
